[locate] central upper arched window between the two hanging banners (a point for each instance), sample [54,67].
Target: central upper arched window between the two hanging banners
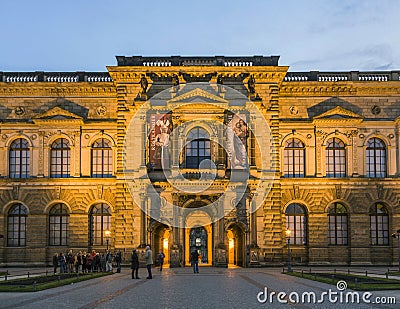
[198,148]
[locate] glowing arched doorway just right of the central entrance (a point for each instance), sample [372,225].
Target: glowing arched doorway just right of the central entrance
[235,235]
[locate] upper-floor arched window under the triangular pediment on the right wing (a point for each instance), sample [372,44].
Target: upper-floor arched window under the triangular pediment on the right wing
[335,158]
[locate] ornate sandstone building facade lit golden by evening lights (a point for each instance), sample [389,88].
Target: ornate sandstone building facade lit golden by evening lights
[216,154]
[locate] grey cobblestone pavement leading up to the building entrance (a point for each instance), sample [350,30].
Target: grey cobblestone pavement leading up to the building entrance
[180,288]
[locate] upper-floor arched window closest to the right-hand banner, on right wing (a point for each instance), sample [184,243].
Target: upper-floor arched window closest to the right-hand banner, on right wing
[294,161]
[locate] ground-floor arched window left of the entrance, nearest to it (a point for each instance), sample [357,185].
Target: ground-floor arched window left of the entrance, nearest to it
[100,221]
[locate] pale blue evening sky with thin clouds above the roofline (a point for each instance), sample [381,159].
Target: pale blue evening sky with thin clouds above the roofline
[324,35]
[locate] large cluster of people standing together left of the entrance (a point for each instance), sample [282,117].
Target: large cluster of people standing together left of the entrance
[82,262]
